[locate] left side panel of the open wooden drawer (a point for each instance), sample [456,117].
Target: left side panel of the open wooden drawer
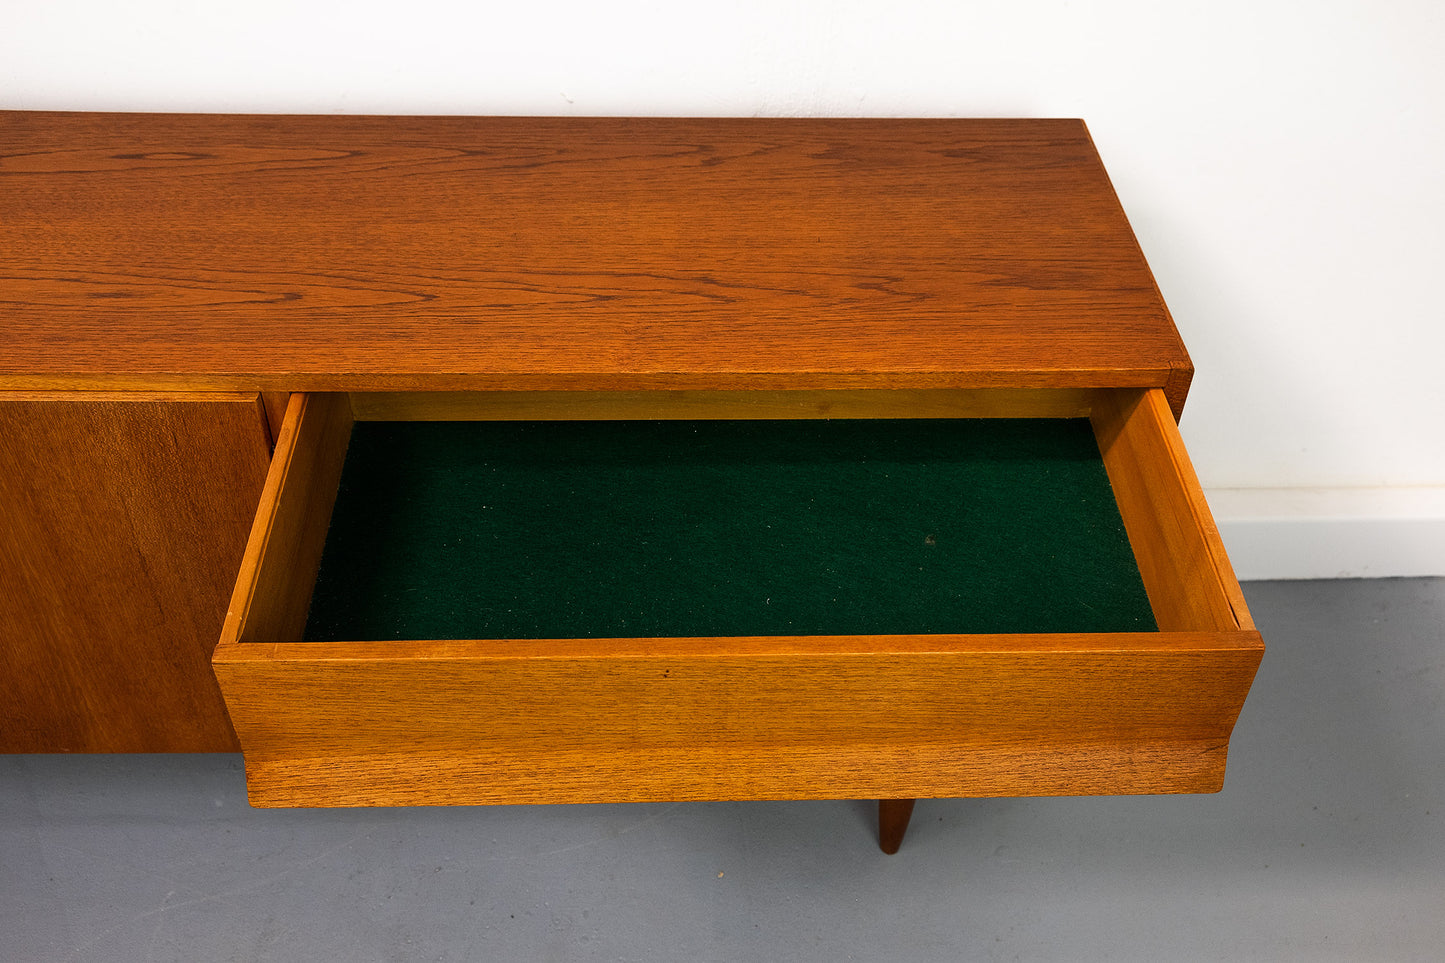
[290,531]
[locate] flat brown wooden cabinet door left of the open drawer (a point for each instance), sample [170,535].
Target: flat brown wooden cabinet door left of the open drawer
[122,526]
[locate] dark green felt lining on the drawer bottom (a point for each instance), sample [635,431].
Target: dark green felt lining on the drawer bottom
[599,530]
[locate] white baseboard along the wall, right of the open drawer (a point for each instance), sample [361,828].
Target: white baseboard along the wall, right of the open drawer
[1333,533]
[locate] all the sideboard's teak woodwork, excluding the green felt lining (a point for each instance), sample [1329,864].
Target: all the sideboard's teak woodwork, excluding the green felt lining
[180,294]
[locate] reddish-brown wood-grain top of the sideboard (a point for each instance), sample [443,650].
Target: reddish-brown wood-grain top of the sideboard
[368,254]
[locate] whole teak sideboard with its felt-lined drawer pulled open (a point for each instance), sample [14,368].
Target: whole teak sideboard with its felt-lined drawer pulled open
[821,459]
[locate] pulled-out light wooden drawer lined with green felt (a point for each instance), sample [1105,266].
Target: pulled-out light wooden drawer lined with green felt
[983,702]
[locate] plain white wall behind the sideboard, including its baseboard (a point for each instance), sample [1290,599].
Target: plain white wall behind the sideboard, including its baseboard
[1281,164]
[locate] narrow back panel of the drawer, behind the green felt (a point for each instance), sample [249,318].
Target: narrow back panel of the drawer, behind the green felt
[791,406]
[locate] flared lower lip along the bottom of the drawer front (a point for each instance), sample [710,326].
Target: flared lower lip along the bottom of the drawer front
[667,774]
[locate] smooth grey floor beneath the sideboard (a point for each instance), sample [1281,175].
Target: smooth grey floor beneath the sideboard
[1329,842]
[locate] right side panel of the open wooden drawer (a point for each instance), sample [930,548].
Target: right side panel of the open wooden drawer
[1176,542]
